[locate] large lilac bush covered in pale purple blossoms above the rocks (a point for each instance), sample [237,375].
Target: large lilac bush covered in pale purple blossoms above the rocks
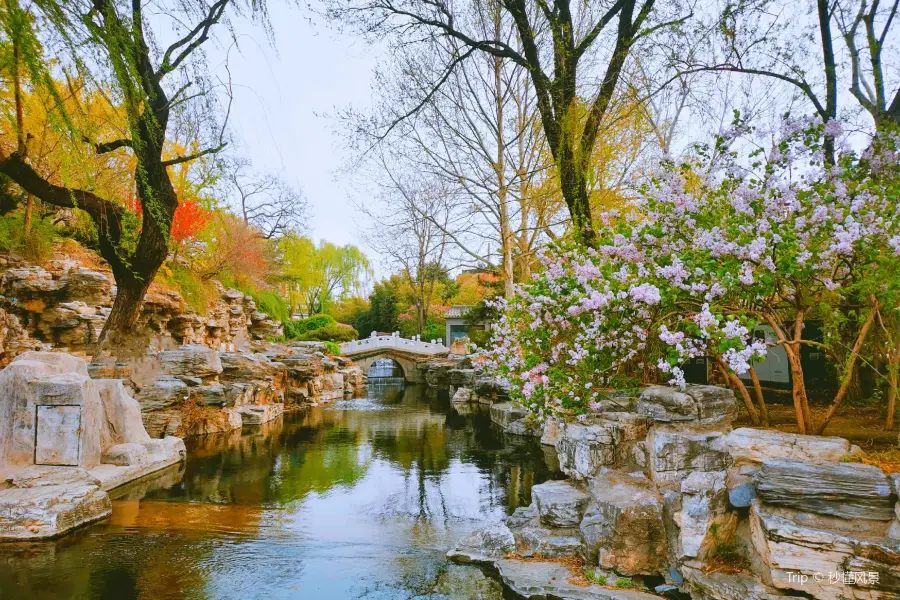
[710,249]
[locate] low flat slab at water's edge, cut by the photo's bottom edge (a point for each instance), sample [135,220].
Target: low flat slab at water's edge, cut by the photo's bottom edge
[540,580]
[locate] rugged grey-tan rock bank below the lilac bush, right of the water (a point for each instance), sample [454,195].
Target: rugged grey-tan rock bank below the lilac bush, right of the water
[665,498]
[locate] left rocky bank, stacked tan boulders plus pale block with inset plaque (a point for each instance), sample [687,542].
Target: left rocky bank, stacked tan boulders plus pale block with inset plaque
[70,431]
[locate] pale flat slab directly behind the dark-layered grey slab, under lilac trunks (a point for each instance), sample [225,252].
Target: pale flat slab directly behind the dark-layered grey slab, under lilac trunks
[760,445]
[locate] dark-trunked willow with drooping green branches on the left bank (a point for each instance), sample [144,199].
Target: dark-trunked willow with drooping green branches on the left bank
[165,94]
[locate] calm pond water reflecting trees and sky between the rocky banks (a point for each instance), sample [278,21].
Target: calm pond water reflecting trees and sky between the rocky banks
[359,499]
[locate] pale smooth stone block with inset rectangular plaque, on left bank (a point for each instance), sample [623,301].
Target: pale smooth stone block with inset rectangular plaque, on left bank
[64,440]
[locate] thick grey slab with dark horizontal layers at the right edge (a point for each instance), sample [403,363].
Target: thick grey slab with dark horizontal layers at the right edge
[849,490]
